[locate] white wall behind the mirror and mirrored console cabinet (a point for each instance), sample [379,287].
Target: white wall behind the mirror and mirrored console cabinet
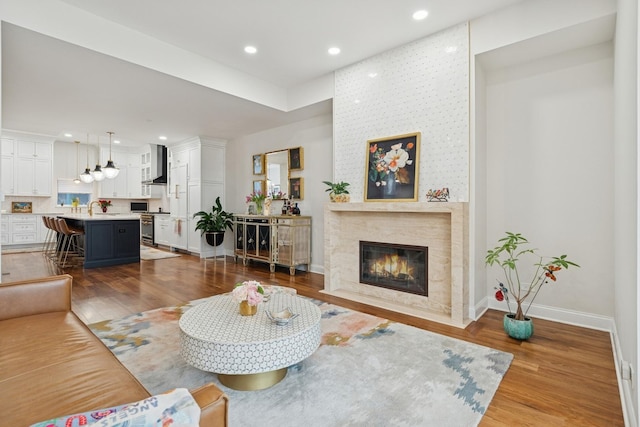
[315,136]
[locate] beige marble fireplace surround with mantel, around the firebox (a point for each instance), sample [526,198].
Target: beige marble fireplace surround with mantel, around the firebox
[441,226]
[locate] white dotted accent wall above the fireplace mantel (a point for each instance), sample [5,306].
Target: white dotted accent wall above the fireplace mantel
[422,86]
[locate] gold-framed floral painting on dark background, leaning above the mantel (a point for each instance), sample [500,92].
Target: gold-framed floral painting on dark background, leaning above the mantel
[392,168]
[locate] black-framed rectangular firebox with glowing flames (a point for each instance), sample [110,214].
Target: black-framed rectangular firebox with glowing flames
[393,266]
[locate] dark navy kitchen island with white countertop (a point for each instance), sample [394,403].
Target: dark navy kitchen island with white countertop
[109,239]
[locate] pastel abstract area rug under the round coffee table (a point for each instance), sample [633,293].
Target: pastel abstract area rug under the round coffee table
[367,371]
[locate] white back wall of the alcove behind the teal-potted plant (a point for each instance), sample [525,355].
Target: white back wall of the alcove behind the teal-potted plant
[549,170]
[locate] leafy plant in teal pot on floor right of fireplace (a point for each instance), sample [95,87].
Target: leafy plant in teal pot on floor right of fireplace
[512,249]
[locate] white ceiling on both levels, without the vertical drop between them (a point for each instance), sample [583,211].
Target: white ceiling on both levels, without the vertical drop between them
[51,87]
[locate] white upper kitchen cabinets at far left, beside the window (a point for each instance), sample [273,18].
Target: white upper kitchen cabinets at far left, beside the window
[27,164]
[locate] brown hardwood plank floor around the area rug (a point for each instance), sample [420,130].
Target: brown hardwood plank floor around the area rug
[563,376]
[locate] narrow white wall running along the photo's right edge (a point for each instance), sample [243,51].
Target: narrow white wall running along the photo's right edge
[626,199]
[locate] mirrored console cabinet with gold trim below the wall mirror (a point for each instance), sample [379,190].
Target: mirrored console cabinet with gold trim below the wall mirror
[274,239]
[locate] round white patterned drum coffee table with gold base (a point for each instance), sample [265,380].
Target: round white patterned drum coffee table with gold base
[248,352]
